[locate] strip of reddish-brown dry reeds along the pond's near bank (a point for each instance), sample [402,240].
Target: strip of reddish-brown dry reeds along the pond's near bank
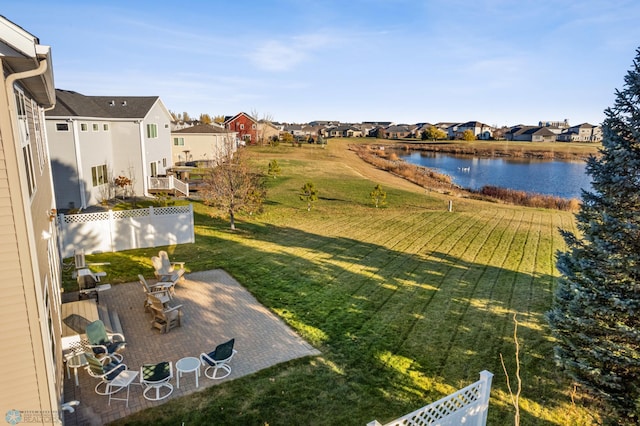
[430,179]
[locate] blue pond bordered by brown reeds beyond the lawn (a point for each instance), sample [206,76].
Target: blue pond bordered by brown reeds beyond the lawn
[551,177]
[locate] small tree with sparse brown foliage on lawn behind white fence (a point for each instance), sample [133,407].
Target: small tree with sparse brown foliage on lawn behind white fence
[233,185]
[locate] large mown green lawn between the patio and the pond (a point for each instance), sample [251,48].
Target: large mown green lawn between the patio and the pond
[407,302]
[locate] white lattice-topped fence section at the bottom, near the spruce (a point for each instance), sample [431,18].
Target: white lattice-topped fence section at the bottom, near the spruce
[468,406]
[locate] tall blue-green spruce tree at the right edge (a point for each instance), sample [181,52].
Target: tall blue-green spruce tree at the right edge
[596,312]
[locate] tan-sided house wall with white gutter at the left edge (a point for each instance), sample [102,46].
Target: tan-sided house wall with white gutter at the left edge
[31,372]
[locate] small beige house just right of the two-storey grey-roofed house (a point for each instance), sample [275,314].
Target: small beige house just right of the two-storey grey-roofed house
[201,143]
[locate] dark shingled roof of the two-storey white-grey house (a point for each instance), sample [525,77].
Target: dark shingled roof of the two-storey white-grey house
[74,104]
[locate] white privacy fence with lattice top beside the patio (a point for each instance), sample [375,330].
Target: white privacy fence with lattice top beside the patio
[112,231]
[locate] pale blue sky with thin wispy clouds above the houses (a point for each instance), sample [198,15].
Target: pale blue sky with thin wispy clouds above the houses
[502,62]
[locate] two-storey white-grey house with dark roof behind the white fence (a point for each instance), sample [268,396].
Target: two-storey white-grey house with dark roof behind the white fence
[95,139]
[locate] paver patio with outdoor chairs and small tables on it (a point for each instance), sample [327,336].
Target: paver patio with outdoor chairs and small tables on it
[215,308]
